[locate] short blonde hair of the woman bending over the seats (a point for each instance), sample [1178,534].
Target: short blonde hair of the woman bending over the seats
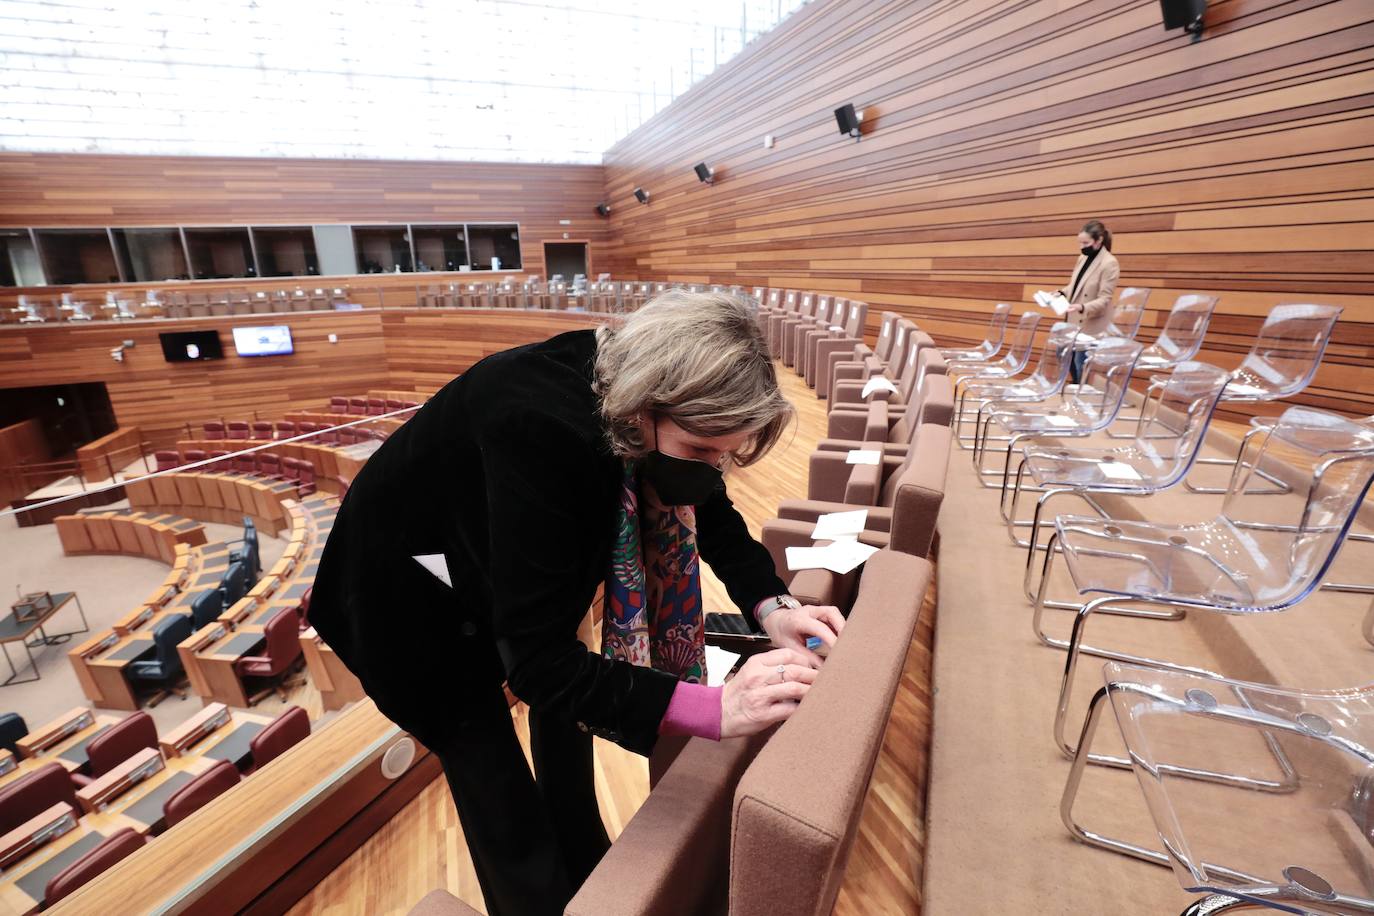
[699,359]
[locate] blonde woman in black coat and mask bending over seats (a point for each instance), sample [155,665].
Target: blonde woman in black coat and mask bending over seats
[473,542]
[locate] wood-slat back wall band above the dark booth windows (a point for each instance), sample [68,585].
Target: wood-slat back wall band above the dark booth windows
[63,190]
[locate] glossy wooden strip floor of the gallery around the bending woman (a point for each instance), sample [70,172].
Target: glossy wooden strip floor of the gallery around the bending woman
[423,848]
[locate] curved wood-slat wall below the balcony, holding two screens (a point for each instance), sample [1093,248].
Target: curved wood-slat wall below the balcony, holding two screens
[398,350]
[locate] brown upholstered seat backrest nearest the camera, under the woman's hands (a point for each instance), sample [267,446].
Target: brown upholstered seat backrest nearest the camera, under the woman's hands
[792,837]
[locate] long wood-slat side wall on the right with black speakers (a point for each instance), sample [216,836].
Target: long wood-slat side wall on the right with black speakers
[1243,164]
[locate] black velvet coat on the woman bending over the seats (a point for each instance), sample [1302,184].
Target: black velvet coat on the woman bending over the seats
[508,473]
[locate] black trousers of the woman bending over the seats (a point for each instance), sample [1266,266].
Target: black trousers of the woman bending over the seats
[534,837]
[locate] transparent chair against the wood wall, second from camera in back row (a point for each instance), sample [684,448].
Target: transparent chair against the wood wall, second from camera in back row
[1281,363]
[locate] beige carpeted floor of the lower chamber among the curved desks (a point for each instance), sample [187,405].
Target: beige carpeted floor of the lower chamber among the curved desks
[109,587]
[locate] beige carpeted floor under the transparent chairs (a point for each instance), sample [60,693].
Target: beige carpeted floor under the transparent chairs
[997,844]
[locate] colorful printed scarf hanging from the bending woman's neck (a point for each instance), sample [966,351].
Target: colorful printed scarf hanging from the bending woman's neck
[652,615]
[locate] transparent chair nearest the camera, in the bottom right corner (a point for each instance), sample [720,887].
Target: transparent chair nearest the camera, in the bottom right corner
[1307,851]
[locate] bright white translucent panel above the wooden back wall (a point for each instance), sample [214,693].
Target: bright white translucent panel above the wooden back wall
[526,82]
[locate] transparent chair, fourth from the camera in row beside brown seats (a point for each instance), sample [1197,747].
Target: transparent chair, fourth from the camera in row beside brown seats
[1089,409]
